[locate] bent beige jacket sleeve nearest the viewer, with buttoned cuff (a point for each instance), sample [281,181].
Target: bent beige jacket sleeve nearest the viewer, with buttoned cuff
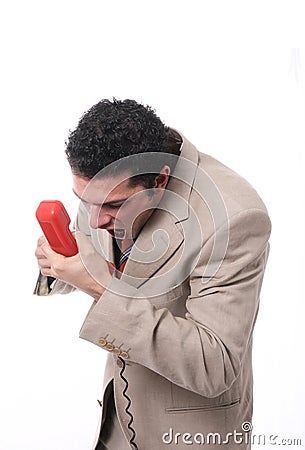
[204,350]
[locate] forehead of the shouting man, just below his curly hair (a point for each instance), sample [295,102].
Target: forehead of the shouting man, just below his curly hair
[101,190]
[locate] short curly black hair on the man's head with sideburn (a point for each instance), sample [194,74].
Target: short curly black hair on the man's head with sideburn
[114,129]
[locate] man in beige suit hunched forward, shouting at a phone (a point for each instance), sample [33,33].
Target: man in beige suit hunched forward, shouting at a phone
[172,247]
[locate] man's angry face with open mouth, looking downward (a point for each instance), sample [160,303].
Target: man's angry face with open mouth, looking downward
[115,205]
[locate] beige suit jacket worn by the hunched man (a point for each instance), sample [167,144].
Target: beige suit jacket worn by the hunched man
[183,313]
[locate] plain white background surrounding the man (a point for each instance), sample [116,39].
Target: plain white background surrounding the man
[230,76]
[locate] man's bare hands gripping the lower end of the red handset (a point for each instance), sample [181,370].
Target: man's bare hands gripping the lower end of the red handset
[87,270]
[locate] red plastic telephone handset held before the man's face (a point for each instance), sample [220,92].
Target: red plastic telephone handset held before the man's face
[54,221]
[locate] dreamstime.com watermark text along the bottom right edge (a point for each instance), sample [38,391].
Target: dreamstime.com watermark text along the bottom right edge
[245,436]
